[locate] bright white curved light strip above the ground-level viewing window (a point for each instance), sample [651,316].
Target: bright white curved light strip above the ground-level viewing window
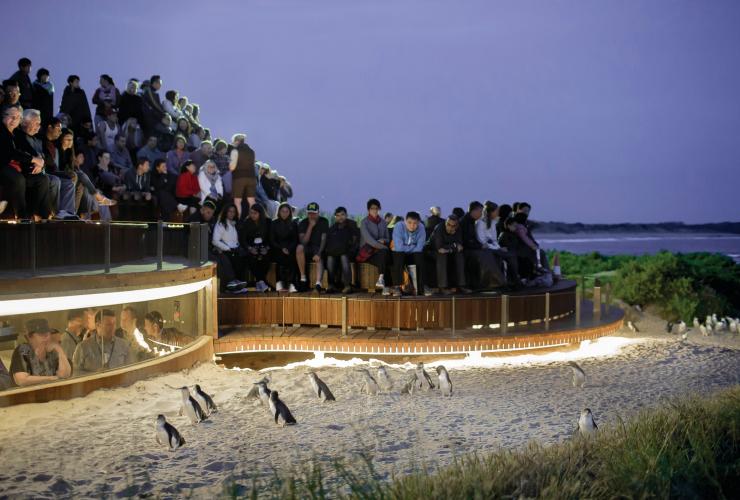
[63,303]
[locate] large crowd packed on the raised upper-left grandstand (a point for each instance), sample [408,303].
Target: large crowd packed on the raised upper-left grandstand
[136,145]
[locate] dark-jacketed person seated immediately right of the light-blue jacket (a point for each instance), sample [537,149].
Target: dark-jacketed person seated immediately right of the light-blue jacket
[446,246]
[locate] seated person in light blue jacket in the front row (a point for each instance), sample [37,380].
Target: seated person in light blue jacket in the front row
[409,238]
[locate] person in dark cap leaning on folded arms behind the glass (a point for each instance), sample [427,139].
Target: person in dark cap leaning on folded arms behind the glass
[39,359]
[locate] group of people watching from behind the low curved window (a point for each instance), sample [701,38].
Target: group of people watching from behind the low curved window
[92,340]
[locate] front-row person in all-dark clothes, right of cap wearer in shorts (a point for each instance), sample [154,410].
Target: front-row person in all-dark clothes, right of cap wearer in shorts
[342,242]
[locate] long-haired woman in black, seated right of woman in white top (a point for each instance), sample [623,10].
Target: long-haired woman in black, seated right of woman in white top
[254,233]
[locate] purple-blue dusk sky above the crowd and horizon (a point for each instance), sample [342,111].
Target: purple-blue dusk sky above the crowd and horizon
[591,111]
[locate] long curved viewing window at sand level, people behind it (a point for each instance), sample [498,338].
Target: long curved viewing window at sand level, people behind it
[42,347]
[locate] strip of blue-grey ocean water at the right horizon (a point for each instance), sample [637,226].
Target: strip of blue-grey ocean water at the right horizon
[641,243]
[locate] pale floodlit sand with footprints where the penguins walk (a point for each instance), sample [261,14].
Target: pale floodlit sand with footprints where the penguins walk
[103,444]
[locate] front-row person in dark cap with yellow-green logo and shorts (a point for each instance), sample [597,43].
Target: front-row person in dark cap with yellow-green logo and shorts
[311,243]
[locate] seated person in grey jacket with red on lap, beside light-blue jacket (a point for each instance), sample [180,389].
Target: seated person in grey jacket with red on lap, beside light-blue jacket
[375,243]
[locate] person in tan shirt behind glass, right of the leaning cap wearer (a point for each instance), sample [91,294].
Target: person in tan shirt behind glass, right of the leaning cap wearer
[101,350]
